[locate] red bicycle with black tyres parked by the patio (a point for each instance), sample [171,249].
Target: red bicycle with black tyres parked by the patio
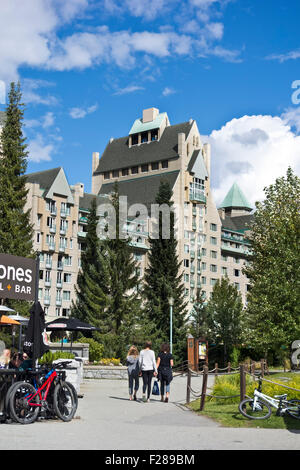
[51,396]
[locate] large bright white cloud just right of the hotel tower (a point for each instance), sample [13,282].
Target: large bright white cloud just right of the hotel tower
[252,151]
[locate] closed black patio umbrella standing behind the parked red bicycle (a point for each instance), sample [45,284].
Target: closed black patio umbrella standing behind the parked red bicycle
[35,344]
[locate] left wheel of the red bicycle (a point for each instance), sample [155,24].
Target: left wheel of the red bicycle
[21,410]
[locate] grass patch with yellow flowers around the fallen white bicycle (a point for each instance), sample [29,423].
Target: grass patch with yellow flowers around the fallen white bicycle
[228,415]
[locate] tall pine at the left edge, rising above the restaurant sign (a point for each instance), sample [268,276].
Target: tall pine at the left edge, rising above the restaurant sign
[15,228]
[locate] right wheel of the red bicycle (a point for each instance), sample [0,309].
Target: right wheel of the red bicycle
[64,401]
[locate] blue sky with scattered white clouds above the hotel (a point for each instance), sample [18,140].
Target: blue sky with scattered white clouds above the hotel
[89,67]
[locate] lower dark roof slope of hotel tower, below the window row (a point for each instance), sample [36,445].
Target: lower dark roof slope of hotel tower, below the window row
[141,190]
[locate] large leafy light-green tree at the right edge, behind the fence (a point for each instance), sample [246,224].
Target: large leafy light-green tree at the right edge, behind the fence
[273,310]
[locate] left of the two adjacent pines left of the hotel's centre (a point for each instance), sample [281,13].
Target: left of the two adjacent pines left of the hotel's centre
[93,279]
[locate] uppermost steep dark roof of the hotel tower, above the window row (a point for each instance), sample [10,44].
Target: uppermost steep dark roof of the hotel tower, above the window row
[118,155]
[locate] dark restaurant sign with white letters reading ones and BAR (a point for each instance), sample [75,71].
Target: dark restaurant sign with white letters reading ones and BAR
[17,277]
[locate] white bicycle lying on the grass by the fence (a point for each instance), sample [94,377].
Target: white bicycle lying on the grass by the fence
[259,407]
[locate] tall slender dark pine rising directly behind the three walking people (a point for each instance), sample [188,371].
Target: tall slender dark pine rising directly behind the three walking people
[163,279]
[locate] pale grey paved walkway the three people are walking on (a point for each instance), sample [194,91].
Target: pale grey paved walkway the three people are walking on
[106,419]
